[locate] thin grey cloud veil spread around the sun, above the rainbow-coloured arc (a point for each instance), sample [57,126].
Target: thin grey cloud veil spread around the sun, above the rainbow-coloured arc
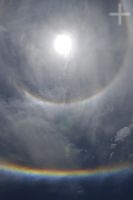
[32,134]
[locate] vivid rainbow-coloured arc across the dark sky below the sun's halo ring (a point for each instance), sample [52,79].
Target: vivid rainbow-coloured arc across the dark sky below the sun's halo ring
[27,171]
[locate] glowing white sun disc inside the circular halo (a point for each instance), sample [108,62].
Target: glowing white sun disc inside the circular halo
[63,45]
